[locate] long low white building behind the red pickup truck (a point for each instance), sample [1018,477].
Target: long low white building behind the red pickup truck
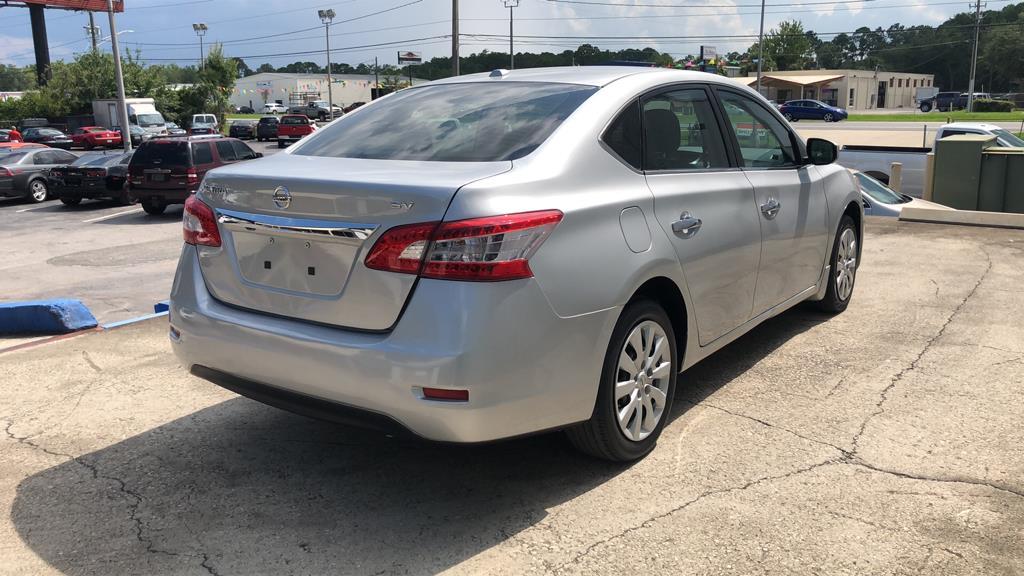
[294,90]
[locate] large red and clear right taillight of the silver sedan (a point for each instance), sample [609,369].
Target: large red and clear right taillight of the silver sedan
[488,250]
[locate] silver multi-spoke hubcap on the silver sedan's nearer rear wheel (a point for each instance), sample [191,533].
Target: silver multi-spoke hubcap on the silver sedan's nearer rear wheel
[643,383]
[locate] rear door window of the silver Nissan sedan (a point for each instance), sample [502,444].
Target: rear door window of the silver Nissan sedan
[681,133]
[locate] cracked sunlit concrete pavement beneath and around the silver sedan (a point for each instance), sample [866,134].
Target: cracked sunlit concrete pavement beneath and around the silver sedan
[886,441]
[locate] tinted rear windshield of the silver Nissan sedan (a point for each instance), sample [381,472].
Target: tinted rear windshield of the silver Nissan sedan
[471,122]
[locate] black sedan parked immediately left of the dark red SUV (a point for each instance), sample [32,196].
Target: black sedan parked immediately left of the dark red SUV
[94,177]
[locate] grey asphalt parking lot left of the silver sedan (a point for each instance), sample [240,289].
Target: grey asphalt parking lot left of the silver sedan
[117,260]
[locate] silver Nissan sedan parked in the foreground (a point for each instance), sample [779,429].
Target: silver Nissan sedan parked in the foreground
[496,255]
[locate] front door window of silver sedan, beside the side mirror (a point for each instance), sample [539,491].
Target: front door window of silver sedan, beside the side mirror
[764,142]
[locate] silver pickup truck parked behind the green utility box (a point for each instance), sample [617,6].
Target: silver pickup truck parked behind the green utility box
[876,161]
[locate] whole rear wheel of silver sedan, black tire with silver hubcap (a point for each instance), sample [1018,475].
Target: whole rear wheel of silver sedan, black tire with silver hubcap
[645,328]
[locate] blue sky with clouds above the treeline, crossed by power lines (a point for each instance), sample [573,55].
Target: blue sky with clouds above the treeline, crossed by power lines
[279,33]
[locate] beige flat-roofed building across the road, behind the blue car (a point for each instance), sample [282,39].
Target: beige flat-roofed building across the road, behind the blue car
[852,90]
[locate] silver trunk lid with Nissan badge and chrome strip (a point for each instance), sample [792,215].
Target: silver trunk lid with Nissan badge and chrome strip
[295,232]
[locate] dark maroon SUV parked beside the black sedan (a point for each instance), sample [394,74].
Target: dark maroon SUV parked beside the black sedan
[168,170]
